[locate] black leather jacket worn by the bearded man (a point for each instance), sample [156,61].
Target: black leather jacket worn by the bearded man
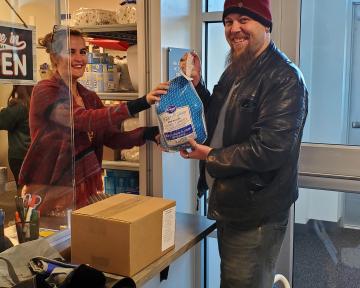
[256,170]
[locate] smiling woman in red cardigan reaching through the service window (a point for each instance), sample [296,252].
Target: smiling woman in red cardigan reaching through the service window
[47,169]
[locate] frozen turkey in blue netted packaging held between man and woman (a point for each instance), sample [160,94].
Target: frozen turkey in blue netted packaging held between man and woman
[181,116]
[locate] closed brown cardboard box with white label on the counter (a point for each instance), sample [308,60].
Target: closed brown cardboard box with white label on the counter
[123,234]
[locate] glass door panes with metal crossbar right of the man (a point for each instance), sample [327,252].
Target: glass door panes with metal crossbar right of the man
[326,229]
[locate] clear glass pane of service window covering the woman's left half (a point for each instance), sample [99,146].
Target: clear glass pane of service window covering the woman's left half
[40,140]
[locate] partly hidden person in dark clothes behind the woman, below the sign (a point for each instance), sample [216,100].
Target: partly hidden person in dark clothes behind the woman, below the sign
[15,119]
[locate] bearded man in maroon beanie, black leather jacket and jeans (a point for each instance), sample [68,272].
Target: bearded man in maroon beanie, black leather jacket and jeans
[255,119]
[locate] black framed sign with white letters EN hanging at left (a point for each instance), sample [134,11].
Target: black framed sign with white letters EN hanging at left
[17,54]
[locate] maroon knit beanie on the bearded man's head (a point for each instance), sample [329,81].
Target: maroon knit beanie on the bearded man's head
[258,10]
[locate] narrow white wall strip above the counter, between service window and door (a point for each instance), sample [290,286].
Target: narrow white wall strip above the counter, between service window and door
[176,31]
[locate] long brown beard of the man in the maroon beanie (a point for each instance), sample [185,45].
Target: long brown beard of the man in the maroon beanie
[240,64]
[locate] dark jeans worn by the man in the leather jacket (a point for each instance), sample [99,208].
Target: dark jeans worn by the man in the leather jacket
[248,257]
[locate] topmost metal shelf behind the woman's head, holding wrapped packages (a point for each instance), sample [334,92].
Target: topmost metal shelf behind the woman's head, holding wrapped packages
[125,32]
